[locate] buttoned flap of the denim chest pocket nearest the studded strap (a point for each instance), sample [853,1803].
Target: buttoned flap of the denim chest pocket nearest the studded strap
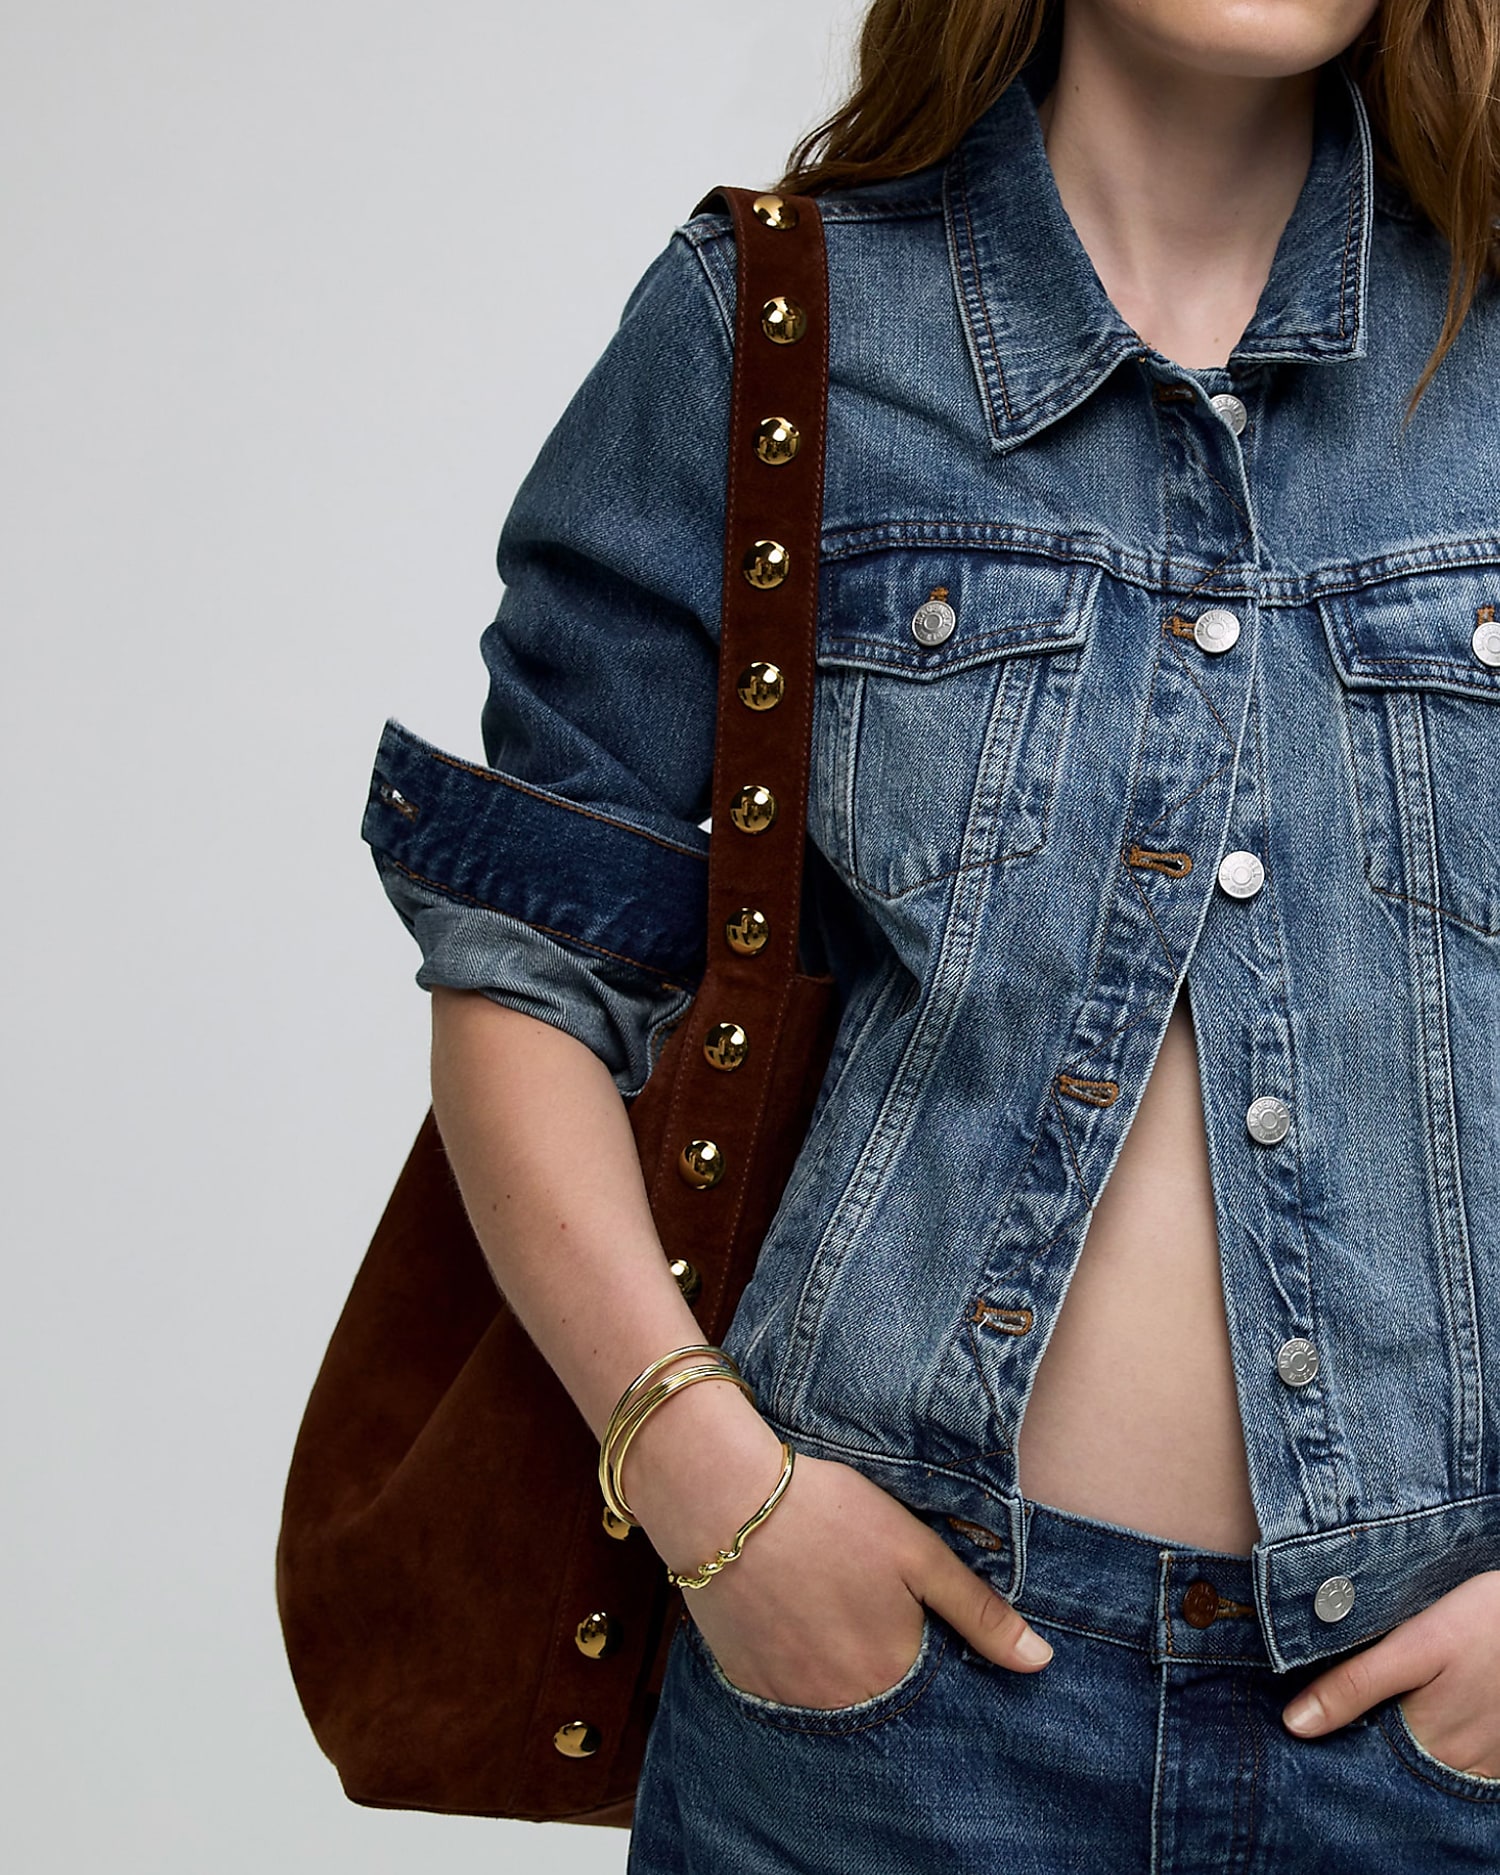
[1002,605]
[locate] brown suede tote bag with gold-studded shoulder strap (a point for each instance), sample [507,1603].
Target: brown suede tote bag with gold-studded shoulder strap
[464,1628]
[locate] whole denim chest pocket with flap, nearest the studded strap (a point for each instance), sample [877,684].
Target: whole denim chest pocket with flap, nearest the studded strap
[944,693]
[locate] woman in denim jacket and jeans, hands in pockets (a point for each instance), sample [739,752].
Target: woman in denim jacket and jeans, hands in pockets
[1158,655]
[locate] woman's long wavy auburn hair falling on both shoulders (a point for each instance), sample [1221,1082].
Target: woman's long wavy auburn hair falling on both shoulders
[1428,70]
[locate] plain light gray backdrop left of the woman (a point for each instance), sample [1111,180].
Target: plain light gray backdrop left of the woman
[293,293]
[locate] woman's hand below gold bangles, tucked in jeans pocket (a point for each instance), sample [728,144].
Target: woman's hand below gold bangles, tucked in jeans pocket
[824,1608]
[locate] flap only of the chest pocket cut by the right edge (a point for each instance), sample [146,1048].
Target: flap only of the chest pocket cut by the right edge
[1417,633]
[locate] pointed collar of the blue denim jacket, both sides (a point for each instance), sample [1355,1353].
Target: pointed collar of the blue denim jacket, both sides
[1042,329]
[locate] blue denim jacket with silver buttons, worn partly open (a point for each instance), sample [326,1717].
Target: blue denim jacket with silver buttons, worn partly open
[1212,687]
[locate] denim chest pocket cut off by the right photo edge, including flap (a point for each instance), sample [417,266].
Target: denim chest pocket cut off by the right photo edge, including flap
[1420,672]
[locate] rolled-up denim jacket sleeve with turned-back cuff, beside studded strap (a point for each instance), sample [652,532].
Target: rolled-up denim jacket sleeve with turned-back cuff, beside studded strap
[567,873]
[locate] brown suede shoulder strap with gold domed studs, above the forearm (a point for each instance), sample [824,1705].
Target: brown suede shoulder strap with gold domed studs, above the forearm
[702,1195]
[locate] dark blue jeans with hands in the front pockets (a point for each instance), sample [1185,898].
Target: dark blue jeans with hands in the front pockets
[1150,1743]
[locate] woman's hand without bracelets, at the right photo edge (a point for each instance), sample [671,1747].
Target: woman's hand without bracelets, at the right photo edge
[1445,1664]
